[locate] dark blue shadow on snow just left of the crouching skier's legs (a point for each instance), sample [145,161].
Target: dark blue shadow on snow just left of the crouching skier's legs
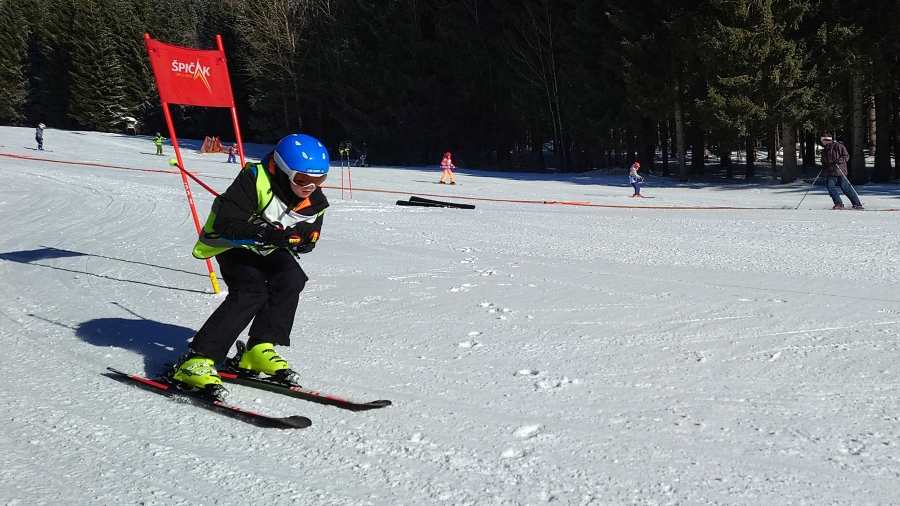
[159,343]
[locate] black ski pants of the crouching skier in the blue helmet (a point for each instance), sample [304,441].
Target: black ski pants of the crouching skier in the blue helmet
[262,289]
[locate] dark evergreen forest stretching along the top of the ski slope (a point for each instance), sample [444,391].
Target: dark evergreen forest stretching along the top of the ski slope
[516,85]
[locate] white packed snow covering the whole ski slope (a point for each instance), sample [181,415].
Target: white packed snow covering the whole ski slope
[713,345]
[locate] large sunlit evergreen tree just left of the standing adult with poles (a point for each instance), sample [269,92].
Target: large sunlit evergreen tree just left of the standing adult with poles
[764,76]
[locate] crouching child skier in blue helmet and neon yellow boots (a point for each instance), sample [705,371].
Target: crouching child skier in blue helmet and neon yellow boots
[271,212]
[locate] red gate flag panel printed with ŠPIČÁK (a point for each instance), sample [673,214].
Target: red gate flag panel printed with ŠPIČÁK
[190,76]
